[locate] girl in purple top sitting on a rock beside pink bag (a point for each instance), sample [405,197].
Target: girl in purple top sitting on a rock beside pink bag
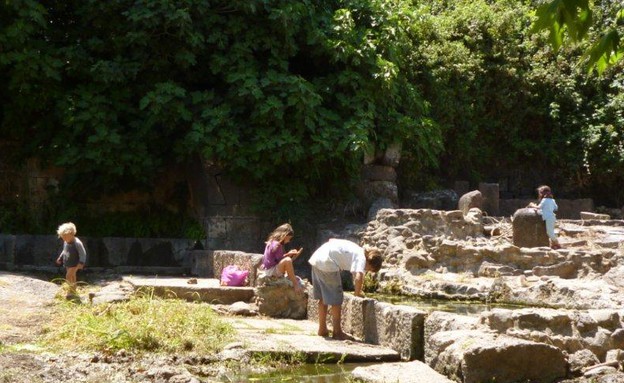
[275,261]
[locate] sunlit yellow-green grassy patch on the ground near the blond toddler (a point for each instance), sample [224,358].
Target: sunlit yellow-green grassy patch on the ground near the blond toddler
[145,323]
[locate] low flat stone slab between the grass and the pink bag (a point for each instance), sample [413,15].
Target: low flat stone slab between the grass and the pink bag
[205,290]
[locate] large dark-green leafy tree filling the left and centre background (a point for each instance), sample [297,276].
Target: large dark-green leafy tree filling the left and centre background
[115,90]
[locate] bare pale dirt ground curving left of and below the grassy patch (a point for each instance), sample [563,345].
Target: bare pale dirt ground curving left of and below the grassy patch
[27,306]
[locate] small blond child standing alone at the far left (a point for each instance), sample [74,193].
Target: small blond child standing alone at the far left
[73,256]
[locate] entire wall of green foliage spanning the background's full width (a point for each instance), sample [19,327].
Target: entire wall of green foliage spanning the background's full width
[289,95]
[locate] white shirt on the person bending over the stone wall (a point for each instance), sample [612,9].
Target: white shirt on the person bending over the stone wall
[339,254]
